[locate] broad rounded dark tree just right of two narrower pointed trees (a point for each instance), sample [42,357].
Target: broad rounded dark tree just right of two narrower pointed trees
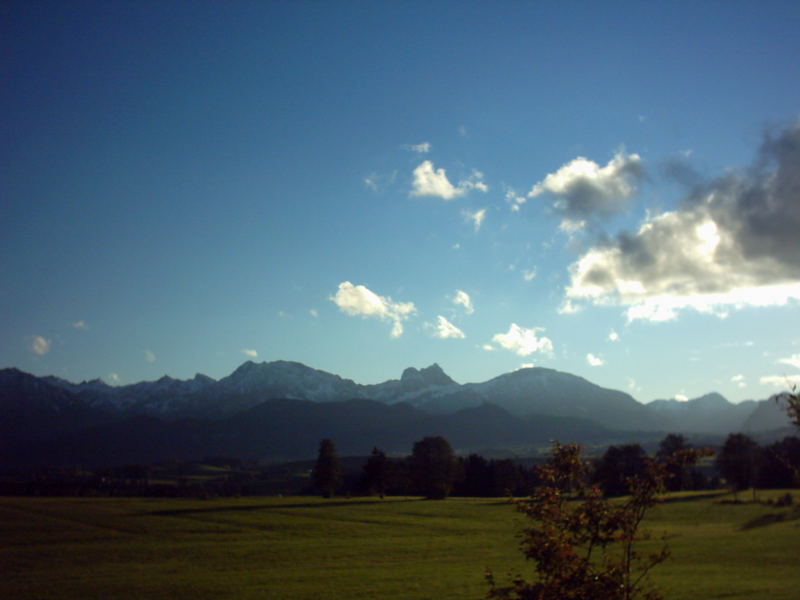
[433,467]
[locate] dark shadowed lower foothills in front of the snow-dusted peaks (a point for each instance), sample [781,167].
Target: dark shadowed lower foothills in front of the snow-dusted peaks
[286,429]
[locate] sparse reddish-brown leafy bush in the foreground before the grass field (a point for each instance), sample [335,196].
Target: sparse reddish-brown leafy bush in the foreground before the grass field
[584,544]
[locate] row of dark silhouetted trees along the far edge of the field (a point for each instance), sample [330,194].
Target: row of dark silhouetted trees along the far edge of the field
[433,470]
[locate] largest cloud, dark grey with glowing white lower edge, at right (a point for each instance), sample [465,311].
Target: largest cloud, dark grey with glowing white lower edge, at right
[731,244]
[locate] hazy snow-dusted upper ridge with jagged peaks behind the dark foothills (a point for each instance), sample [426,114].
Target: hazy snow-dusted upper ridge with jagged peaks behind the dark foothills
[524,392]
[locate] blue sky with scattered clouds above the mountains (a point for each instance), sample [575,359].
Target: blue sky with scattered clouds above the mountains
[609,189]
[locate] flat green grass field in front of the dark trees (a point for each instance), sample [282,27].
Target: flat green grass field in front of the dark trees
[304,548]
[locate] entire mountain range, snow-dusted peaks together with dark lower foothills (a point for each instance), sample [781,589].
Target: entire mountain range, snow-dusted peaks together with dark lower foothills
[280,410]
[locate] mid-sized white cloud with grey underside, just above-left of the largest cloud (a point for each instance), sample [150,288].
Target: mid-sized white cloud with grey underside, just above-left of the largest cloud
[584,189]
